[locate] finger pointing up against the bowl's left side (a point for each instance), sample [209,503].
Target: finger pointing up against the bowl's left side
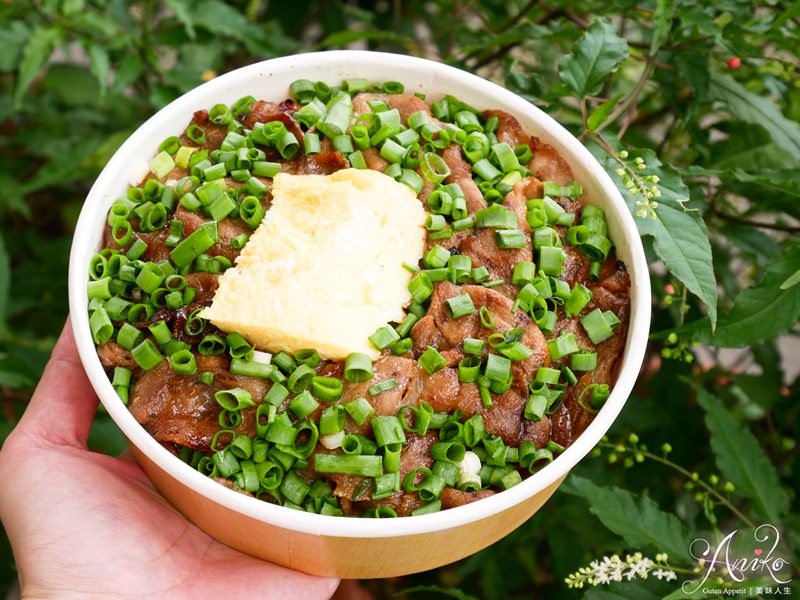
[64,403]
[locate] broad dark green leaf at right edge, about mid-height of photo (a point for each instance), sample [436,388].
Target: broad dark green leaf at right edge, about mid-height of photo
[760,312]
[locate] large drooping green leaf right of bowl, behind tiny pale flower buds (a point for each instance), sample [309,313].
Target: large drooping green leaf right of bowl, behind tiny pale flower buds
[680,237]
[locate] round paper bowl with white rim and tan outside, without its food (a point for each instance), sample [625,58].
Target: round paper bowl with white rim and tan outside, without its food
[336,546]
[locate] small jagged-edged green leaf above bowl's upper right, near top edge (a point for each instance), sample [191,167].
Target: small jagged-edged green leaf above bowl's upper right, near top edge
[594,57]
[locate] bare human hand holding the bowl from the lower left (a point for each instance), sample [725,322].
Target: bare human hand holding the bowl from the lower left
[86,525]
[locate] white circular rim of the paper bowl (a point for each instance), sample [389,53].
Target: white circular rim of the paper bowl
[311,523]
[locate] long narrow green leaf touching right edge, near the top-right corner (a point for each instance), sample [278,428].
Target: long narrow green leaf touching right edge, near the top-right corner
[750,107]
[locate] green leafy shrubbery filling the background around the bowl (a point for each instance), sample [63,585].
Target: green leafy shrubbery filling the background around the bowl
[705,95]
